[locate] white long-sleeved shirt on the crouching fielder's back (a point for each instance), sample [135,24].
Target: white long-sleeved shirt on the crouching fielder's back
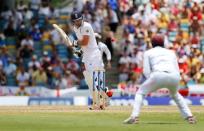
[160,59]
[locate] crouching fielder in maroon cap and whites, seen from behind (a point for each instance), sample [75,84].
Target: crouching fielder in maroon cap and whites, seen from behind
[161,70]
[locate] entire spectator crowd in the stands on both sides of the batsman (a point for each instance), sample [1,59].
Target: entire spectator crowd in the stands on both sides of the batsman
[33,54]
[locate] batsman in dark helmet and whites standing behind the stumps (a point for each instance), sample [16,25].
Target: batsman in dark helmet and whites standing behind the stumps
[92,57]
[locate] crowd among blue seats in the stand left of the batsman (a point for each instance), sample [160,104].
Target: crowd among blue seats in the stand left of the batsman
[31,51]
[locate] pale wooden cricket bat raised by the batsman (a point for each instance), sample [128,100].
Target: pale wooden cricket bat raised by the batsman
[63,35]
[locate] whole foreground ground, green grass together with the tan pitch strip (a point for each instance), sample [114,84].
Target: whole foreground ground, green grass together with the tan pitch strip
[73,118]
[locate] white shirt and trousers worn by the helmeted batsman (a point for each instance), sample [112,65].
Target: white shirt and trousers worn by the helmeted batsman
[92,57]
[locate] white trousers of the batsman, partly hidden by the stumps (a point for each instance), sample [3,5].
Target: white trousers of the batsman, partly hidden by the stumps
[90,66]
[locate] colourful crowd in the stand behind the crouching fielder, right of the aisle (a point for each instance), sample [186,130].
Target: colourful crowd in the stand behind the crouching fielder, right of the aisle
[182,24]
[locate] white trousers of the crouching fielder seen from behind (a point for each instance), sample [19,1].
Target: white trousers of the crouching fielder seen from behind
[156,81]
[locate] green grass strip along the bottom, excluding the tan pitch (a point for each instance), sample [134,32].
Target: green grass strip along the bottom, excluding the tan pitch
[95,121]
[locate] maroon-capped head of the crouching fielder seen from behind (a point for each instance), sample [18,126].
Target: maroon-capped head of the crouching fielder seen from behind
[158,40]
